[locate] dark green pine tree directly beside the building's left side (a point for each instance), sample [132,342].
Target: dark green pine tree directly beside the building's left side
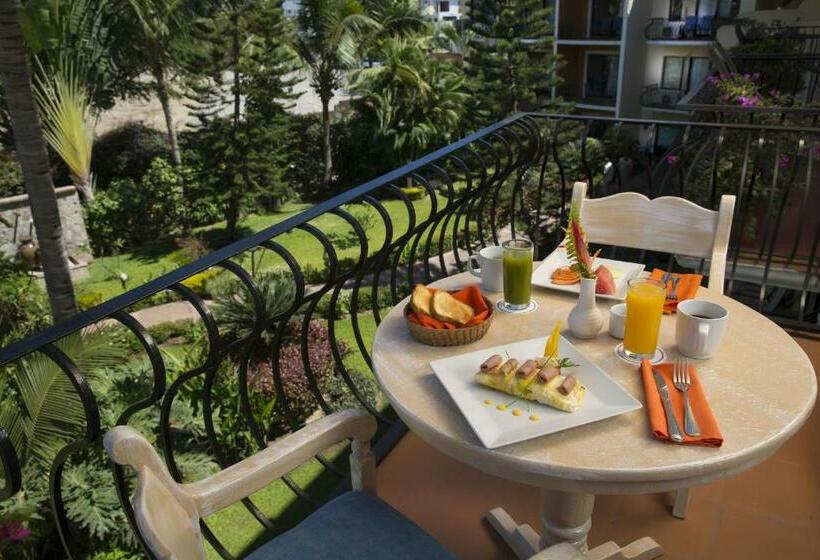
[509,59]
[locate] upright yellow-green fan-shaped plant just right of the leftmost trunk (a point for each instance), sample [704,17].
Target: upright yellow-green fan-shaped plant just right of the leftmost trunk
[68,122]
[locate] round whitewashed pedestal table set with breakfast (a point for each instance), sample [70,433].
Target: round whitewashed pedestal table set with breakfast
[760,385]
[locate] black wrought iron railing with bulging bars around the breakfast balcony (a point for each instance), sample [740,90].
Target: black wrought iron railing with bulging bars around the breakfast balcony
[511,179]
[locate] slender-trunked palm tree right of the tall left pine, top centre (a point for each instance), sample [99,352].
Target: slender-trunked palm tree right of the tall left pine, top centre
[329,40]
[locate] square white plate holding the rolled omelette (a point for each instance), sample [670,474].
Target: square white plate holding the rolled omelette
[604,397]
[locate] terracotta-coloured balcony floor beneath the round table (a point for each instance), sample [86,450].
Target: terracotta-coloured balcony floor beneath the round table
[771,511]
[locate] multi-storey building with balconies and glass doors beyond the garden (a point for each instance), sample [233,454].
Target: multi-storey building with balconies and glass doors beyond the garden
[638,58]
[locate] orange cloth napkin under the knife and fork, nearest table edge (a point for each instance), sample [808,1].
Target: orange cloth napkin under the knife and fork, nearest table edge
[710,435]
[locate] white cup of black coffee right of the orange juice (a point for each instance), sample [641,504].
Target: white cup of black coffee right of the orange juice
[699,326]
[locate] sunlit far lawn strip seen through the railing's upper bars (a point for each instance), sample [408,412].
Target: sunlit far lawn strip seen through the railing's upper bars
[152,260]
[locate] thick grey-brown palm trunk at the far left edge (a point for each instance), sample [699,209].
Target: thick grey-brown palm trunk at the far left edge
[33,157]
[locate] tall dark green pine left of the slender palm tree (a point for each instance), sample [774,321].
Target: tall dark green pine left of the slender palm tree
[246,77]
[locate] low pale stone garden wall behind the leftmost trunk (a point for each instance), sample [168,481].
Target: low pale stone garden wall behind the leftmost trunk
[15,221]
